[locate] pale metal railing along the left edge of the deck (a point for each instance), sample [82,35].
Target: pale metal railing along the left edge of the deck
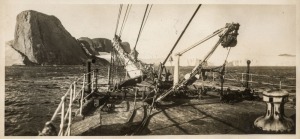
[73,94]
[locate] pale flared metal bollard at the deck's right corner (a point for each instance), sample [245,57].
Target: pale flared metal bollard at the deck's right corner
[274,119]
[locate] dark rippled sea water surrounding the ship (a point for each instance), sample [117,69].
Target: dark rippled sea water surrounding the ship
[32,93]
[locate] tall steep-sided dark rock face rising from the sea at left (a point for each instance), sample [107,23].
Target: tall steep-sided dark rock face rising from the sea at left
[44,40]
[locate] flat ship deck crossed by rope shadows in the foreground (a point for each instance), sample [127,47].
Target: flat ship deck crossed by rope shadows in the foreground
[179,117]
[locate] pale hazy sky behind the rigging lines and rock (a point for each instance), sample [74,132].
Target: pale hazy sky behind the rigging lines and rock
[265,32]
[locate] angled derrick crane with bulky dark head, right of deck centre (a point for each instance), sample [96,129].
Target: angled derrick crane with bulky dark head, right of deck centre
[228,39]
